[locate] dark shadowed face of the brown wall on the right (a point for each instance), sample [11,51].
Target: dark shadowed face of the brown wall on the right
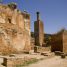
[57,42]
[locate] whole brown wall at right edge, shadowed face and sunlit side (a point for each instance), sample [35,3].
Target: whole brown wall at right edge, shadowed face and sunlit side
[59,41]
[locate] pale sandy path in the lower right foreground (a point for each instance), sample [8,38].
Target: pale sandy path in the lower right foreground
[52,62]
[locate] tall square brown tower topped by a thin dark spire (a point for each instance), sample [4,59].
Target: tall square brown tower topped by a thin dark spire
[38,31]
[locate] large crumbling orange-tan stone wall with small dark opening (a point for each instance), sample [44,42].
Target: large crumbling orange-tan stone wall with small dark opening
[14,29]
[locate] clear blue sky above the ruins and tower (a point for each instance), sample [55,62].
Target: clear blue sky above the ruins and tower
[53,13]
